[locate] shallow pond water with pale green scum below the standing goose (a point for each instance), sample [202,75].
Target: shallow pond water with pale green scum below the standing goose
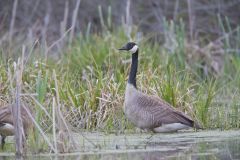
[184,145]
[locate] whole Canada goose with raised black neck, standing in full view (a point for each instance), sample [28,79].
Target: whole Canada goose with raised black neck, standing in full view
[150,112]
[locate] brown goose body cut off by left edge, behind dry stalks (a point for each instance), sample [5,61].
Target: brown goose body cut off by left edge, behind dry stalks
[6,122]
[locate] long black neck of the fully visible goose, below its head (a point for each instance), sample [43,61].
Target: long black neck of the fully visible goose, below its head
[133,71]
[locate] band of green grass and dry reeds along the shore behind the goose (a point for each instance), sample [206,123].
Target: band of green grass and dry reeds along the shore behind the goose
[81,89]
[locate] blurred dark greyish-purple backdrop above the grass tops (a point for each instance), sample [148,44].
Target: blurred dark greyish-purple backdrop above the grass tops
[43,18]
